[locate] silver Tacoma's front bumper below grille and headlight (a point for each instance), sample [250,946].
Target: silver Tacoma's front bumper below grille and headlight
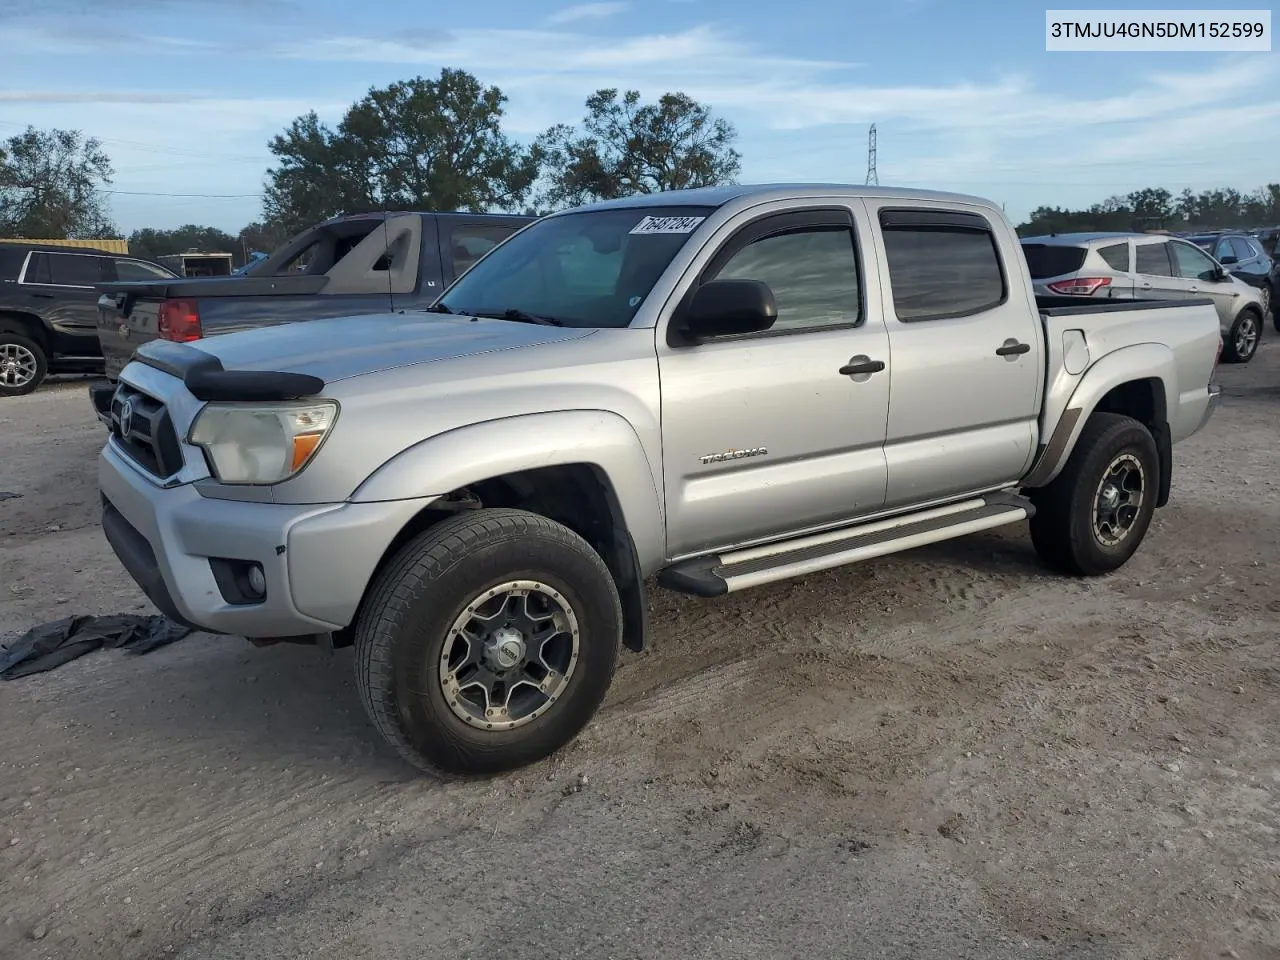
[317,559]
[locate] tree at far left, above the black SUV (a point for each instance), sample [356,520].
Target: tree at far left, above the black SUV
[52,186]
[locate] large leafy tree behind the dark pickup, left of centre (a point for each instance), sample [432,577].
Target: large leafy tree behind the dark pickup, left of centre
[420,144]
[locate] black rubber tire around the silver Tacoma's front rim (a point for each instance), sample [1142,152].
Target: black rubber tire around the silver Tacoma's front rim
[418,597]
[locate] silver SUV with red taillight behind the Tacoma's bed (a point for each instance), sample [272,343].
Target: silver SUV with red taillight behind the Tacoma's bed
[1145,267]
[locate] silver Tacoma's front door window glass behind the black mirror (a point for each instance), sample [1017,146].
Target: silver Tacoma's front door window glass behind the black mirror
[813,276]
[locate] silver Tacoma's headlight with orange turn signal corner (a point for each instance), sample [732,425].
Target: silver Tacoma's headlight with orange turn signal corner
[267,444]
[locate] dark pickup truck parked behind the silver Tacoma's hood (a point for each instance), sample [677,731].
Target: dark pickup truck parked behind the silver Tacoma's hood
[345,267]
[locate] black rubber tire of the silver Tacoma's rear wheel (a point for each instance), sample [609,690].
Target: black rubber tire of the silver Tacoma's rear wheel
[1064,529]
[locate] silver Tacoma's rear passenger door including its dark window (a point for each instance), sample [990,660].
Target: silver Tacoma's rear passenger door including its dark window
[967,349]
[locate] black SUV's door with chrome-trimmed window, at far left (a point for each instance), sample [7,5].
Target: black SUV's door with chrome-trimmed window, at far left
[61,289]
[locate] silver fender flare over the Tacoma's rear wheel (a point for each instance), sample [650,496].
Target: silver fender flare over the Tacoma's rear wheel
[1142,362]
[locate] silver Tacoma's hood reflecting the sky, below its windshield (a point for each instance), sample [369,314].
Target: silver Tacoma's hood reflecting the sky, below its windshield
[345,348]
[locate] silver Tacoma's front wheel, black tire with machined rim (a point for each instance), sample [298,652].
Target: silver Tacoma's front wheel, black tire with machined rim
[488,642]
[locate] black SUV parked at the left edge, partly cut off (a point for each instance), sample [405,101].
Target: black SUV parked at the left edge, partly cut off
[49,309]
